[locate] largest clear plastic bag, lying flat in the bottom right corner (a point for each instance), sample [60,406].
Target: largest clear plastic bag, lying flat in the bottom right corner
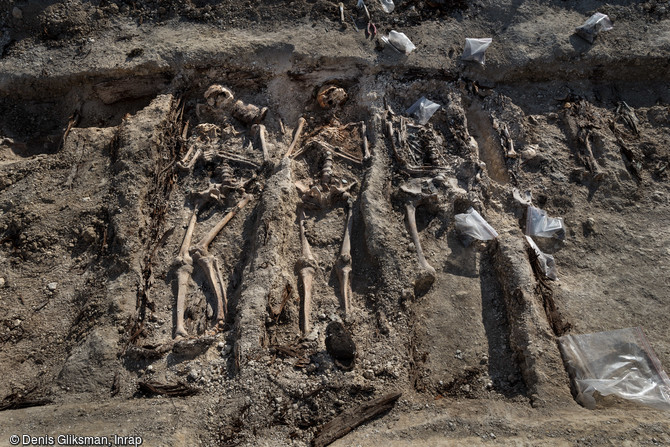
[617,362]
